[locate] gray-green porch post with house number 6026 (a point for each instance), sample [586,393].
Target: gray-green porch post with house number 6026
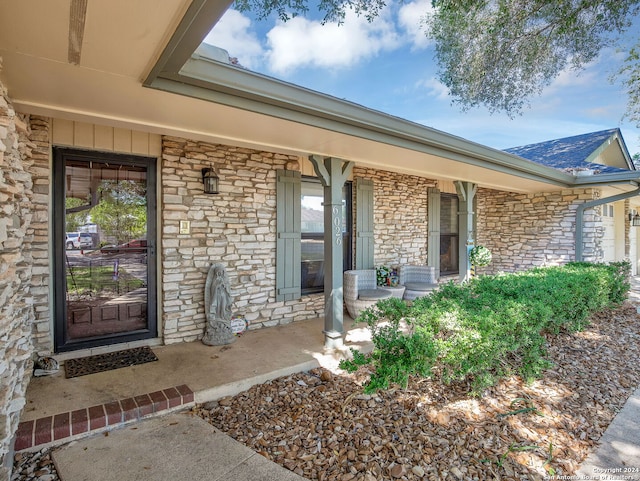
[333,173]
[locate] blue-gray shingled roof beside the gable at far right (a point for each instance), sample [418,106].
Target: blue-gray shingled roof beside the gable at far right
[570,152]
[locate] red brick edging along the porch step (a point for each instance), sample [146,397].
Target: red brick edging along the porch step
[60,427]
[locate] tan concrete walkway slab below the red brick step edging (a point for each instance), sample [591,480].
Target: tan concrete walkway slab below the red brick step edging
[175,447]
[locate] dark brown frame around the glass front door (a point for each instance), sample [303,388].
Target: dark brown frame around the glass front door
[62,342]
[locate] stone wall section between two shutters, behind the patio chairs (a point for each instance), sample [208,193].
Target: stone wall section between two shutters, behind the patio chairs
[400,216]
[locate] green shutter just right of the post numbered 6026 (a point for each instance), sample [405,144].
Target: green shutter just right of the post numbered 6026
[364,224]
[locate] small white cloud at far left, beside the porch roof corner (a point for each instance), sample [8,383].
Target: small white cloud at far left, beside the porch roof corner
[233,33]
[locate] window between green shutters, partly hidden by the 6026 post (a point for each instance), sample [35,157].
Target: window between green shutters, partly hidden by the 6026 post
[312,233]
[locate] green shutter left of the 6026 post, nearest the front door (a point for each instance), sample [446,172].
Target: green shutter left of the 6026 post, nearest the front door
[288,235]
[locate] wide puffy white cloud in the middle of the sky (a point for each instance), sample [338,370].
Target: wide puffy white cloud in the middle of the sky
[307,43]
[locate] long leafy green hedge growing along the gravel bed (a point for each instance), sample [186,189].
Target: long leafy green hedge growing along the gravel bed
[491,327]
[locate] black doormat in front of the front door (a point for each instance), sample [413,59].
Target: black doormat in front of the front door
[108,361]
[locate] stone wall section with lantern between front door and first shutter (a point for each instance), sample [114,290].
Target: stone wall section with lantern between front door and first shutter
[236,227]
